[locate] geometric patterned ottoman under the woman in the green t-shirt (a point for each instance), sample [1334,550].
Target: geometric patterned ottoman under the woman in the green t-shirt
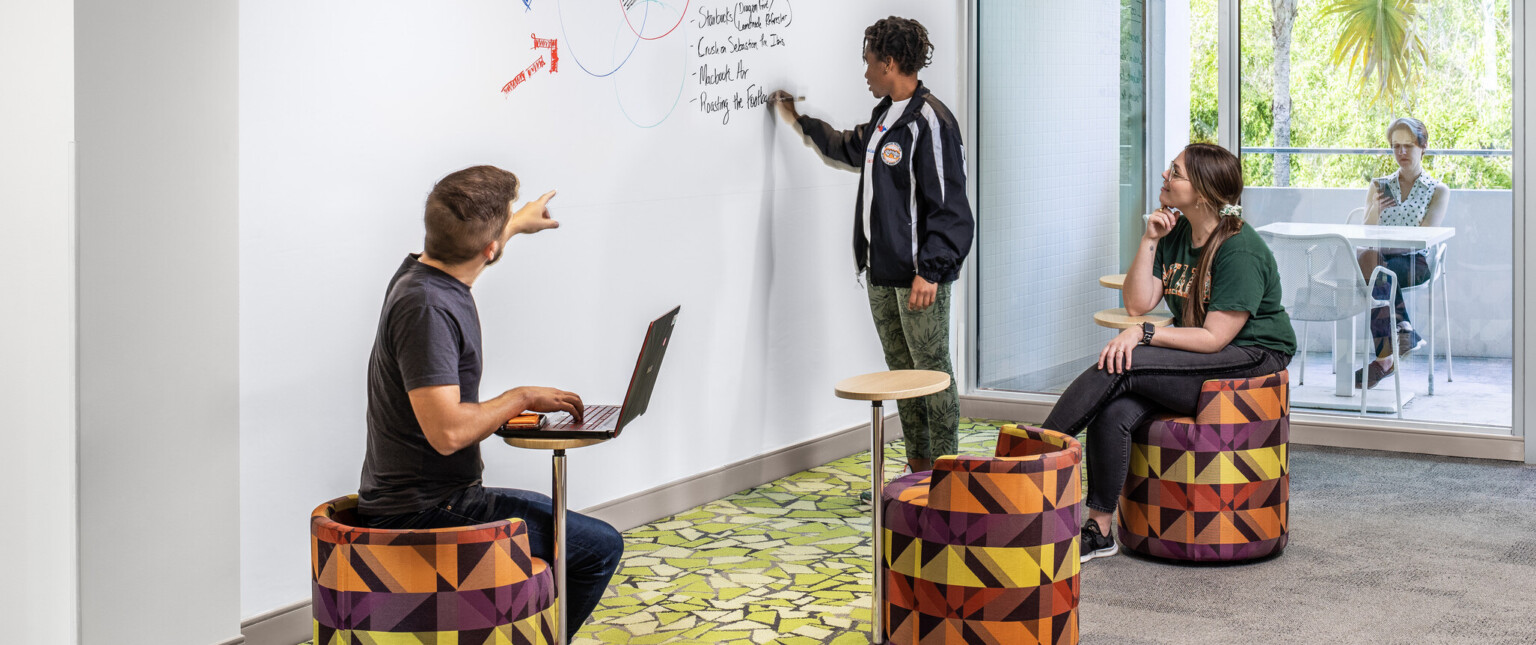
[1217,488]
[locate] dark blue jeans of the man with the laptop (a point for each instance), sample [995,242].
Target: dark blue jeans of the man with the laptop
[594,547]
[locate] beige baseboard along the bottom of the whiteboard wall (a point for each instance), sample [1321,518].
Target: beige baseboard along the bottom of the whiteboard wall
[293,624]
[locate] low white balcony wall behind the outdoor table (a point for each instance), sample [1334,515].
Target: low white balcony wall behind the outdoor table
[1480,262]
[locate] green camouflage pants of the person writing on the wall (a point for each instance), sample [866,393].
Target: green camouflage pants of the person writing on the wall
[921,342]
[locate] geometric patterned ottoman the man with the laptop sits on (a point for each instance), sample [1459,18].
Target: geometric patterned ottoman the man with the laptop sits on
[465,586]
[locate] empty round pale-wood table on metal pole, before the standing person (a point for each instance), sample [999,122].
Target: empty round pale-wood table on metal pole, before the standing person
[878,389]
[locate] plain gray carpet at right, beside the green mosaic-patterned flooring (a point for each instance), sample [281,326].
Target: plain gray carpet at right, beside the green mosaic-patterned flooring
[1385,549]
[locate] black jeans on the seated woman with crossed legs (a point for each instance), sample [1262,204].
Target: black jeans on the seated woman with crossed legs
[1160,382]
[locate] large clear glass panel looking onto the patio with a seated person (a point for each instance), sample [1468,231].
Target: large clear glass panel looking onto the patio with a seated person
[1316,157]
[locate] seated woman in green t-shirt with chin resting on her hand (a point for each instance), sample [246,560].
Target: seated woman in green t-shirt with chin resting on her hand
[1223,288]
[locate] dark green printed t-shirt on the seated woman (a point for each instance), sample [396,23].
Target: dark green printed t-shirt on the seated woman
[1243,279]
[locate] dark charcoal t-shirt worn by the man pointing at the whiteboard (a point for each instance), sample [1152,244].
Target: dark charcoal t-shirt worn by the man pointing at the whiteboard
[429,336]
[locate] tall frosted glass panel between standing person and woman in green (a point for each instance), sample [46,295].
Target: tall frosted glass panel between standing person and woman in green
[1048,182]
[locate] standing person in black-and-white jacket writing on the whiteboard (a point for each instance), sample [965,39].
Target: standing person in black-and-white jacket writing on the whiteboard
[912,222]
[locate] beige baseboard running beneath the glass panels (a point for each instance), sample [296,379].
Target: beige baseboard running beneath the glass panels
[1309,432]
